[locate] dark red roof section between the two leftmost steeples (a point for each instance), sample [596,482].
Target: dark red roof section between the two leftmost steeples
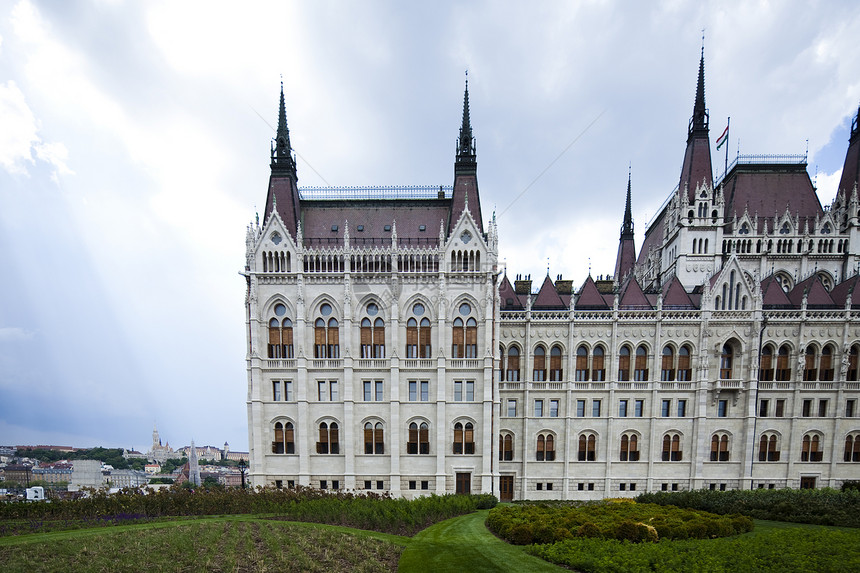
[318,218]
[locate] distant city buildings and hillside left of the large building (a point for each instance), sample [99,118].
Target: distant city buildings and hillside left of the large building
[60,468]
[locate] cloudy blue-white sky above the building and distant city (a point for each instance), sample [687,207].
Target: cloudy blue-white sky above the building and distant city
[134,142]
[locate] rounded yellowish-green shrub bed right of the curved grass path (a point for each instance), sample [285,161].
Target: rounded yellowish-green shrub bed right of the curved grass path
[527,524]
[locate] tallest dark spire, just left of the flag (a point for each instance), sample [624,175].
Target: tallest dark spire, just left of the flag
[696,170]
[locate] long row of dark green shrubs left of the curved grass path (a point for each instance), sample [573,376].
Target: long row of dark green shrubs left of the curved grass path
[364,510]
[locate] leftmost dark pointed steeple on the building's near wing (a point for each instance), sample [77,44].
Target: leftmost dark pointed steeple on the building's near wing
[283,194]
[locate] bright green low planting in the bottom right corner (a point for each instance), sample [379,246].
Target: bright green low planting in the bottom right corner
[795,549]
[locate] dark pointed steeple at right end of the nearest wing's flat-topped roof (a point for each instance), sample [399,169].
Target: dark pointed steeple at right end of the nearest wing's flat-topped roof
[465,195]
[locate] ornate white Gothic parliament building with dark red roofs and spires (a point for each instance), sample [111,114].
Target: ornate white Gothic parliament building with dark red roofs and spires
[388,351]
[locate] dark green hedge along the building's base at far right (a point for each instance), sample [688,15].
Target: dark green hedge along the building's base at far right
[817,506]
